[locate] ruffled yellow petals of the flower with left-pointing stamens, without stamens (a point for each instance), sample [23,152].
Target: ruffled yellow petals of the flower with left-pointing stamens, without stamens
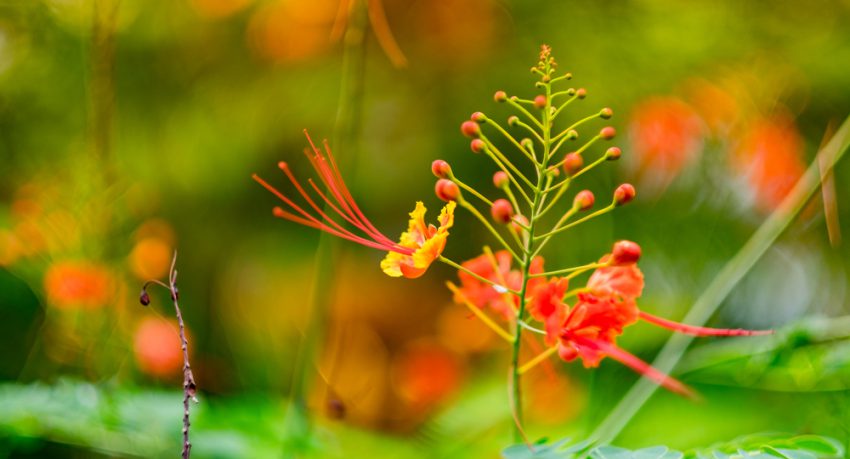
[426,241]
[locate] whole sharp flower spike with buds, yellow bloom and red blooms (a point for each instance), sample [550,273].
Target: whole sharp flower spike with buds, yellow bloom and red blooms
[509,289]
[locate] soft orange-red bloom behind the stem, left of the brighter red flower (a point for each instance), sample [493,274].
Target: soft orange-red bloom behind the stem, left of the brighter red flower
[497,269]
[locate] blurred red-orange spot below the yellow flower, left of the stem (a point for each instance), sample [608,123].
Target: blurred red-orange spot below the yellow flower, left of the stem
[426,373]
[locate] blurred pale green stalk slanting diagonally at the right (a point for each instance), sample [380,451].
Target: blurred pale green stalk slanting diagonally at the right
[722,284]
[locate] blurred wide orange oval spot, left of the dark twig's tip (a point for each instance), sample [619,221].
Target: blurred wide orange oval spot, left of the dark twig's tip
[77,284]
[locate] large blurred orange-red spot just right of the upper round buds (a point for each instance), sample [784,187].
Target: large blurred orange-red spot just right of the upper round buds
[665,134]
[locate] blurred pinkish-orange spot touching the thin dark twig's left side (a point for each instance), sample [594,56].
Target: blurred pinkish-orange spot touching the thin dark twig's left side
[157,347]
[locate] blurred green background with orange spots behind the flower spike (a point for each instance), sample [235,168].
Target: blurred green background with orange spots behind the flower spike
[131,128]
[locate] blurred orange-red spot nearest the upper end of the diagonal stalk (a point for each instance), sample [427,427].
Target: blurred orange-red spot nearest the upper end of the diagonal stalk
[770,155]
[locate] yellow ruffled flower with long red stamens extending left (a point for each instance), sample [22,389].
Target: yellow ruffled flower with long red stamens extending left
[419,246]
